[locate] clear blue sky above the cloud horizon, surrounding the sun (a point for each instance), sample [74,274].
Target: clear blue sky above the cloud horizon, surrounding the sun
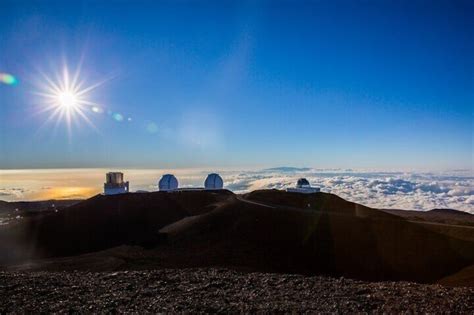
[369,84]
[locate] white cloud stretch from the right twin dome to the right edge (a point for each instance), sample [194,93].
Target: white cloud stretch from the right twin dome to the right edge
[395,190]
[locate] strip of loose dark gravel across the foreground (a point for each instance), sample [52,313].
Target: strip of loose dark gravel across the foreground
[219,290]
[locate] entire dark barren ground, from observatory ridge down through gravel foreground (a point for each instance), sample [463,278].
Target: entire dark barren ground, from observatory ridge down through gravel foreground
[207,251]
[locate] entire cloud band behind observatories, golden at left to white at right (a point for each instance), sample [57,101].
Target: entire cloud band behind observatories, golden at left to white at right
[380,189]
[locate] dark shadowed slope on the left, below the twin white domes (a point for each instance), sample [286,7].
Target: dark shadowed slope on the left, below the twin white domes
[102,222]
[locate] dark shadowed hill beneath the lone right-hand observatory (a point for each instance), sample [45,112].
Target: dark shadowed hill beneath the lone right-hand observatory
[333,236]
